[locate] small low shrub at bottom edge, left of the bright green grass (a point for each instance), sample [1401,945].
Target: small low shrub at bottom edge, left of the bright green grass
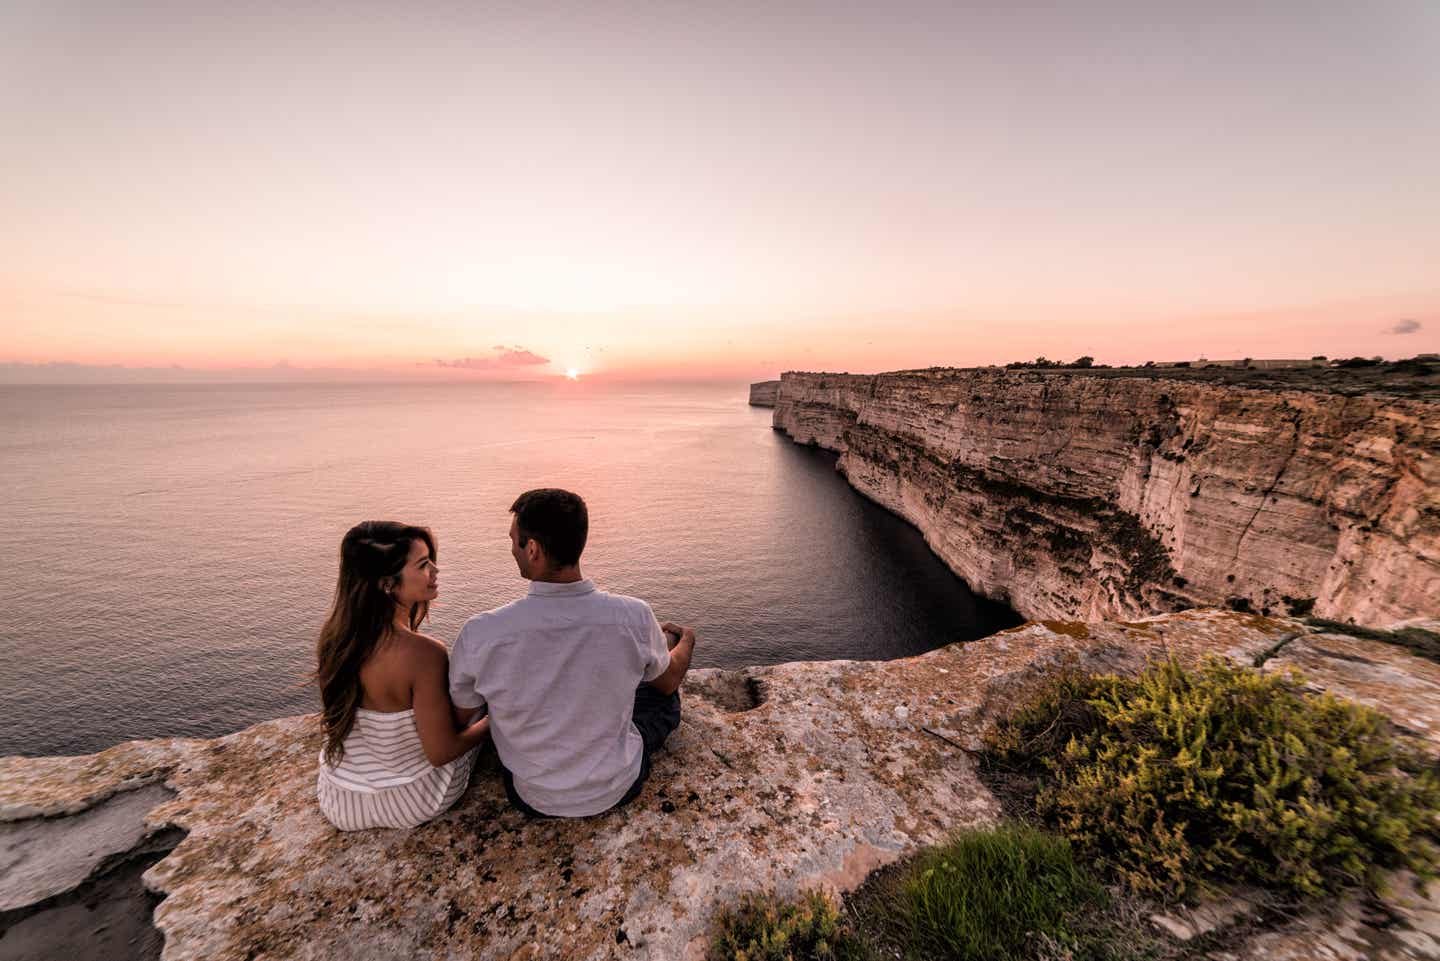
[762,929]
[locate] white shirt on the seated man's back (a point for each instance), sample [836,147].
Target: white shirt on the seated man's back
[559,671]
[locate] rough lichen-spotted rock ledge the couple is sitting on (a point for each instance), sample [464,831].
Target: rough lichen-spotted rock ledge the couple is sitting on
[781,779]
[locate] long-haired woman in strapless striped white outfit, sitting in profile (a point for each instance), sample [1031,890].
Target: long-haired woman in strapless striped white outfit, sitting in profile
[397,753]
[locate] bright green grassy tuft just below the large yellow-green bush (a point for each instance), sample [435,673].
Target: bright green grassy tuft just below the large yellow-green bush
[990,895]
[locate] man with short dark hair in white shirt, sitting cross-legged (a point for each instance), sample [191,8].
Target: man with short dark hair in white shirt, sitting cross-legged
[580,684]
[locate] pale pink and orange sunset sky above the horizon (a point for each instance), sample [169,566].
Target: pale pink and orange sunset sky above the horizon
[731,191]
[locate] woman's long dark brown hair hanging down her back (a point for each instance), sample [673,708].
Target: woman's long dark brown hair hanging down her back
[359,620]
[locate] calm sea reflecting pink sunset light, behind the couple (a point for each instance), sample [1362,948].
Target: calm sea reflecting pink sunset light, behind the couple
[171,551]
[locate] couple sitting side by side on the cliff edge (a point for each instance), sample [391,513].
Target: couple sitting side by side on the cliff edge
[577,687]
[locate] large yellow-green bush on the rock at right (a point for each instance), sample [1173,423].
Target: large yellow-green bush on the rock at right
[1184,780]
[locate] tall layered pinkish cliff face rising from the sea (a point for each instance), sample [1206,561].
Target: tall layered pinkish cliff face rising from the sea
[1097,498]
